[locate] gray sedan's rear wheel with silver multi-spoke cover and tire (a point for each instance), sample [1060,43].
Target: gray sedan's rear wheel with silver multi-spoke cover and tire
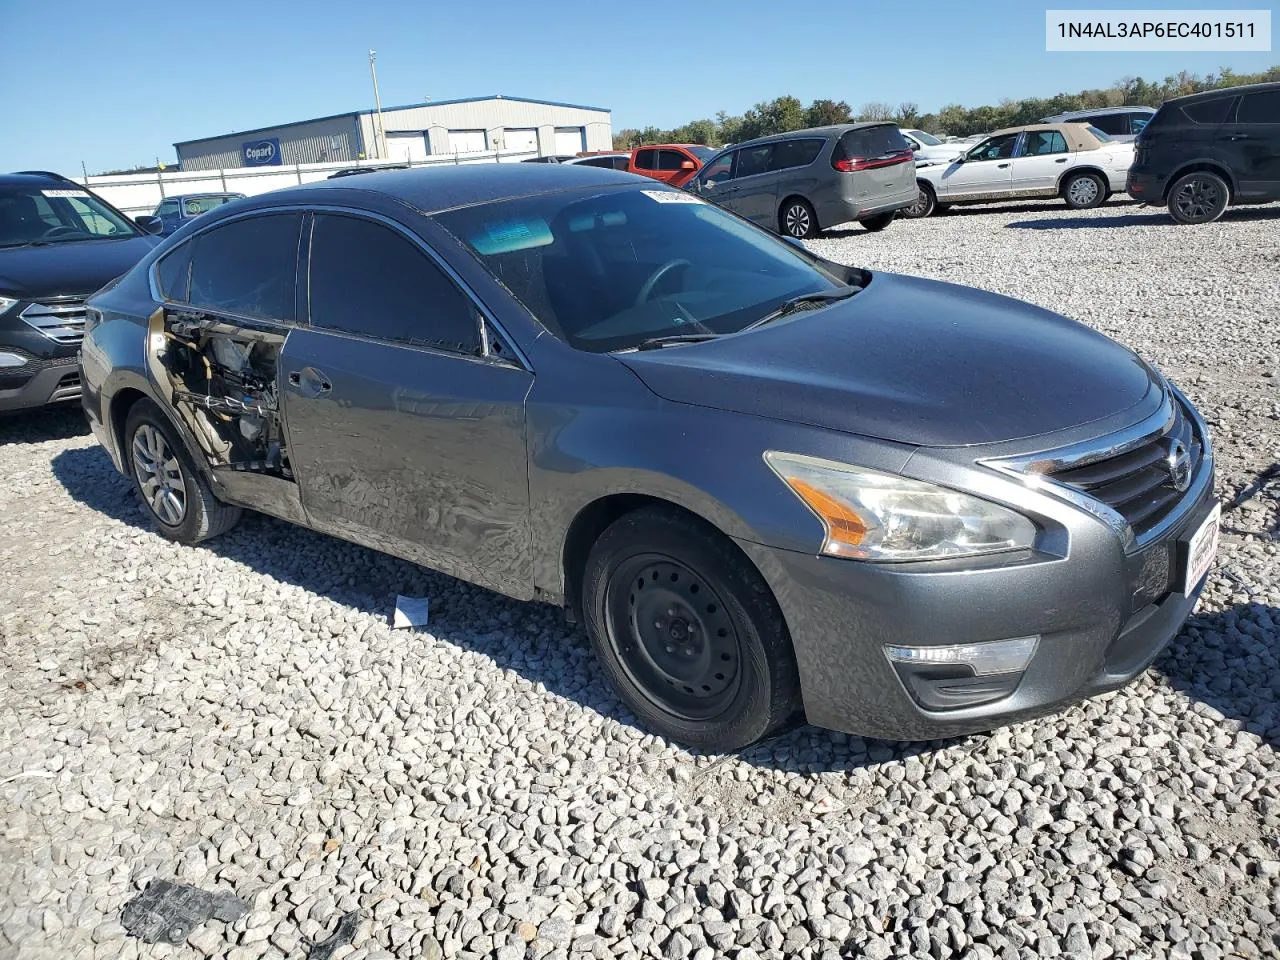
[173,493]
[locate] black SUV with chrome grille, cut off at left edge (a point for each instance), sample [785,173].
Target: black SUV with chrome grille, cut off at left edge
[58,244]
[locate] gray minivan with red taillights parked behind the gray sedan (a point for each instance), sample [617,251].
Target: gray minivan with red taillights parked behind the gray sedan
[802,182]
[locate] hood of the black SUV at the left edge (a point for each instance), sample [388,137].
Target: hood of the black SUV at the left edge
[68,269]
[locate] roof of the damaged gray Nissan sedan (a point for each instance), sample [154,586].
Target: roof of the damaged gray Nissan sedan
[449,186]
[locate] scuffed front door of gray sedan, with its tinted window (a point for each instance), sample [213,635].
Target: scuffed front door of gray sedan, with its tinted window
[404,435]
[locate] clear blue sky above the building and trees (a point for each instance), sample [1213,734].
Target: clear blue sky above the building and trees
[117,85]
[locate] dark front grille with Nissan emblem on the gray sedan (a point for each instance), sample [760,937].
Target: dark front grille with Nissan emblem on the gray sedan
[1140,484]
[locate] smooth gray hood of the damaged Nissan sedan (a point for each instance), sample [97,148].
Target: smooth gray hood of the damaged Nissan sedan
[915,362]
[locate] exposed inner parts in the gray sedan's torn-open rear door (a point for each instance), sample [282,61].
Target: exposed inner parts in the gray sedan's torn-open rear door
[223,383]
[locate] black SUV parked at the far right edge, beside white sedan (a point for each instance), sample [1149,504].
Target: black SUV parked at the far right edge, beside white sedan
[1204,153]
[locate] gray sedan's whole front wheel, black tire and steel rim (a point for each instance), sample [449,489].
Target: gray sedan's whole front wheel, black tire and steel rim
[705,657]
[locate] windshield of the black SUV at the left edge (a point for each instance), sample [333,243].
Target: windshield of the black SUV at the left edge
[56,216]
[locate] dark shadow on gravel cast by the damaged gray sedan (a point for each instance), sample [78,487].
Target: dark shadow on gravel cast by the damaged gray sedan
[1226,661]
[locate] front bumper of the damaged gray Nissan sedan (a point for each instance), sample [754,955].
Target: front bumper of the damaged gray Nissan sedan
[1101,615]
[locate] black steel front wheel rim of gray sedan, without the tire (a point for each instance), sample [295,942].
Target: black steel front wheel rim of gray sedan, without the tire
[674,637]
